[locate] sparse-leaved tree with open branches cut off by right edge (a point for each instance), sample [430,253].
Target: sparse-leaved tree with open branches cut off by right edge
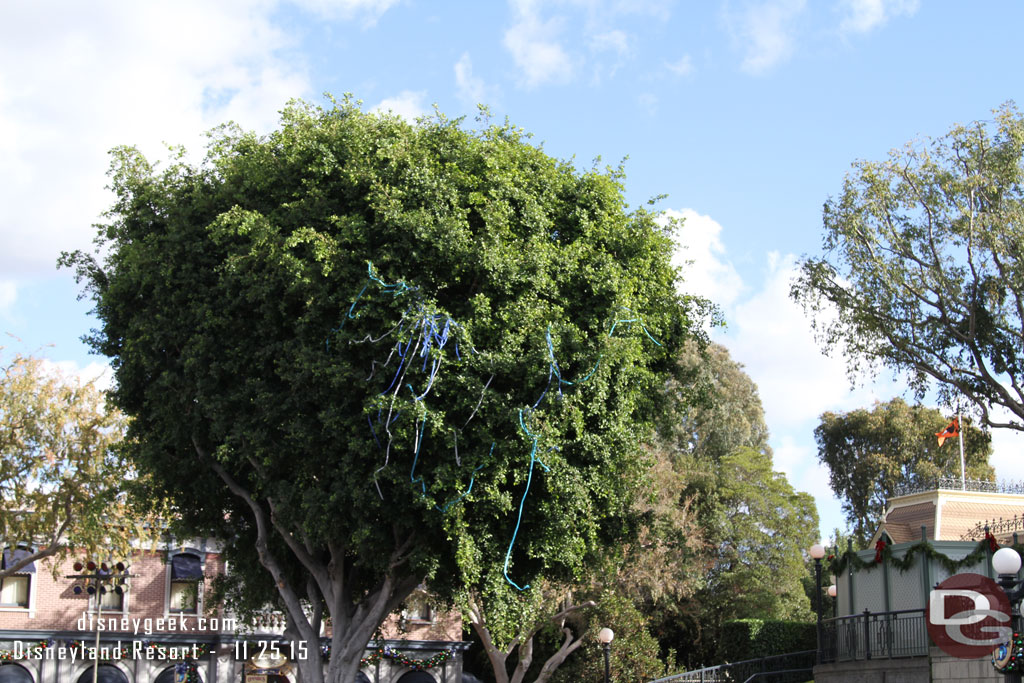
[923,269]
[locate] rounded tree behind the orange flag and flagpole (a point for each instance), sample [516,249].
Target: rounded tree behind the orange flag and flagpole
[871,453]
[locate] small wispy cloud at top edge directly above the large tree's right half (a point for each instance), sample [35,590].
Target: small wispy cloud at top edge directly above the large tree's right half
[536,49]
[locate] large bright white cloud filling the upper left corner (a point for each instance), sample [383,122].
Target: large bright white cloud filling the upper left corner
[78,79]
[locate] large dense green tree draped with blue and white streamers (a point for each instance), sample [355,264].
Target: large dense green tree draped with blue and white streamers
[367,354]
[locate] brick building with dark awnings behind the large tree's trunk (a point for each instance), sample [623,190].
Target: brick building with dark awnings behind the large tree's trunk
[159,628]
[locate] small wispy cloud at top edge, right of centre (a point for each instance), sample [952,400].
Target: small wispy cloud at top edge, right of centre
[767,31]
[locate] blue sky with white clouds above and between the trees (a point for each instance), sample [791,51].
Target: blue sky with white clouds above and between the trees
[746,114]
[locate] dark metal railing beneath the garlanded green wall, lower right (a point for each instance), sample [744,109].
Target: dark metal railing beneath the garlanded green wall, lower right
[875,636]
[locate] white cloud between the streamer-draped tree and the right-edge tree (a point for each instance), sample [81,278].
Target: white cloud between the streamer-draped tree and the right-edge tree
[772,337]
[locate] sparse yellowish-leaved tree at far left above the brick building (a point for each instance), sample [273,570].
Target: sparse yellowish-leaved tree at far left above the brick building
[61,474]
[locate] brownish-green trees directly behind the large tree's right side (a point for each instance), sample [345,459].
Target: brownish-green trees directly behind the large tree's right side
[740,528]
